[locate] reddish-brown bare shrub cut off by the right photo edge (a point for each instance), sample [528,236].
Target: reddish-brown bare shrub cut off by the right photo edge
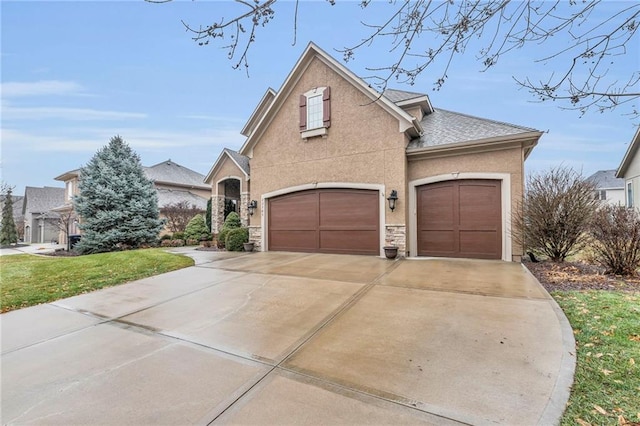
[616,235]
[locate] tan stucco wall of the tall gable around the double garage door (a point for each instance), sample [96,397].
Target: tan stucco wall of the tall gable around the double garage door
[362,146]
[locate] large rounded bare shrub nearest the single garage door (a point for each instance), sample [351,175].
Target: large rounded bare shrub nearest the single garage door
[554,217]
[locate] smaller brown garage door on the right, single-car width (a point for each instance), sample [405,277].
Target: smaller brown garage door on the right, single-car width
[460,218]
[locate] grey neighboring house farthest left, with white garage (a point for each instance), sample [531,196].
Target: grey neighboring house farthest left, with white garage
[41,223]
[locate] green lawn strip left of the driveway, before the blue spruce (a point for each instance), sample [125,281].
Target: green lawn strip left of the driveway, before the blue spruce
[28,280]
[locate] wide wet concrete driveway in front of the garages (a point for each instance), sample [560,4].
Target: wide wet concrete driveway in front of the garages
[290,338]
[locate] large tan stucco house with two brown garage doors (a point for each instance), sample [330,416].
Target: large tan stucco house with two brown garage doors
[336,167]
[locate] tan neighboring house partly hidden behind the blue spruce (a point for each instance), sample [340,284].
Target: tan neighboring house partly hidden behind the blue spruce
[174,183]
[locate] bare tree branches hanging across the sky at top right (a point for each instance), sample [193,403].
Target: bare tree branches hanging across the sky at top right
[431,34]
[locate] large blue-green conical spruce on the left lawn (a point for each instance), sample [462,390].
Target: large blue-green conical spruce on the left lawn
[117,203]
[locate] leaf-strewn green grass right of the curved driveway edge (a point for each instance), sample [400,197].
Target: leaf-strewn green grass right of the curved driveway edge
[606,326]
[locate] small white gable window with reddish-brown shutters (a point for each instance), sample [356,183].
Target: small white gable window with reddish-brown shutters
[315,112]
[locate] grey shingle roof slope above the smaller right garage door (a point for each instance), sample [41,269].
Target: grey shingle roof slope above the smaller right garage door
[443,127]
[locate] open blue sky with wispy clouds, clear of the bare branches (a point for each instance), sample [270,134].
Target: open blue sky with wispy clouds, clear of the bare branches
[76,73]
